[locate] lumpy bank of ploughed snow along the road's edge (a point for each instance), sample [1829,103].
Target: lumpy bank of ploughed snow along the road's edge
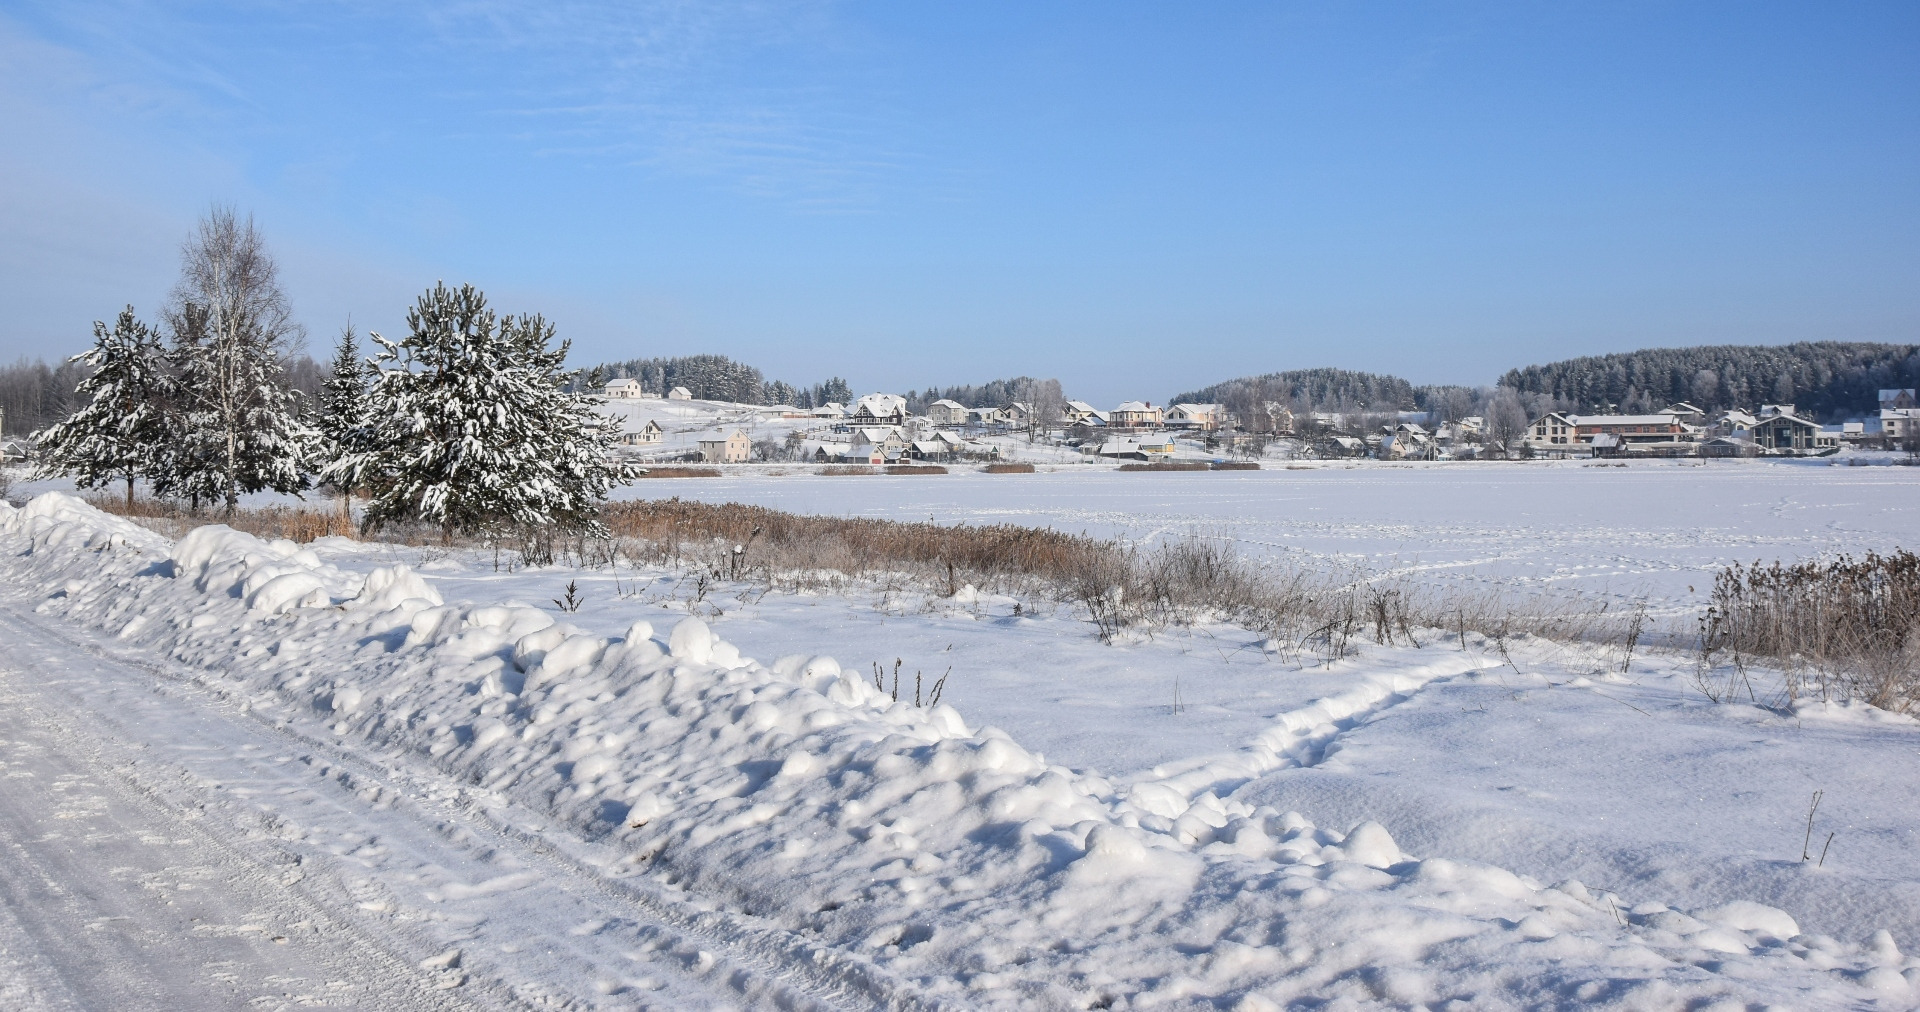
[926,861]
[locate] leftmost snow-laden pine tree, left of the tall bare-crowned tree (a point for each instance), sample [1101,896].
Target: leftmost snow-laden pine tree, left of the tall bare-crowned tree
[120,431]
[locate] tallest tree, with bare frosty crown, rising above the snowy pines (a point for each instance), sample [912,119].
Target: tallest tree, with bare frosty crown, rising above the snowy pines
[237,425]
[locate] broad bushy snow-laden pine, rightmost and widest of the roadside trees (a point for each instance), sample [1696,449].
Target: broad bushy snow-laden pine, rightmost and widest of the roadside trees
[471,427]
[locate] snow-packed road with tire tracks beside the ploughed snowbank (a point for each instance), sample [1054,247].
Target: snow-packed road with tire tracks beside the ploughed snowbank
[166,850]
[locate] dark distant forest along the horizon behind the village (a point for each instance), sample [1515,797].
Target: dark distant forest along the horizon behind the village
[1827,381]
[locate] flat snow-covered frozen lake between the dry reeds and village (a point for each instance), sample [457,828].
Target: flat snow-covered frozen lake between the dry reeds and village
[1652,529]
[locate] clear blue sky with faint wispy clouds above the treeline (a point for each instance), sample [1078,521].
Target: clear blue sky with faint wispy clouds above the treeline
[1136,199]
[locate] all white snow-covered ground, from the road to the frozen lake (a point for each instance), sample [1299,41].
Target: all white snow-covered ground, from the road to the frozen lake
[690,798]
